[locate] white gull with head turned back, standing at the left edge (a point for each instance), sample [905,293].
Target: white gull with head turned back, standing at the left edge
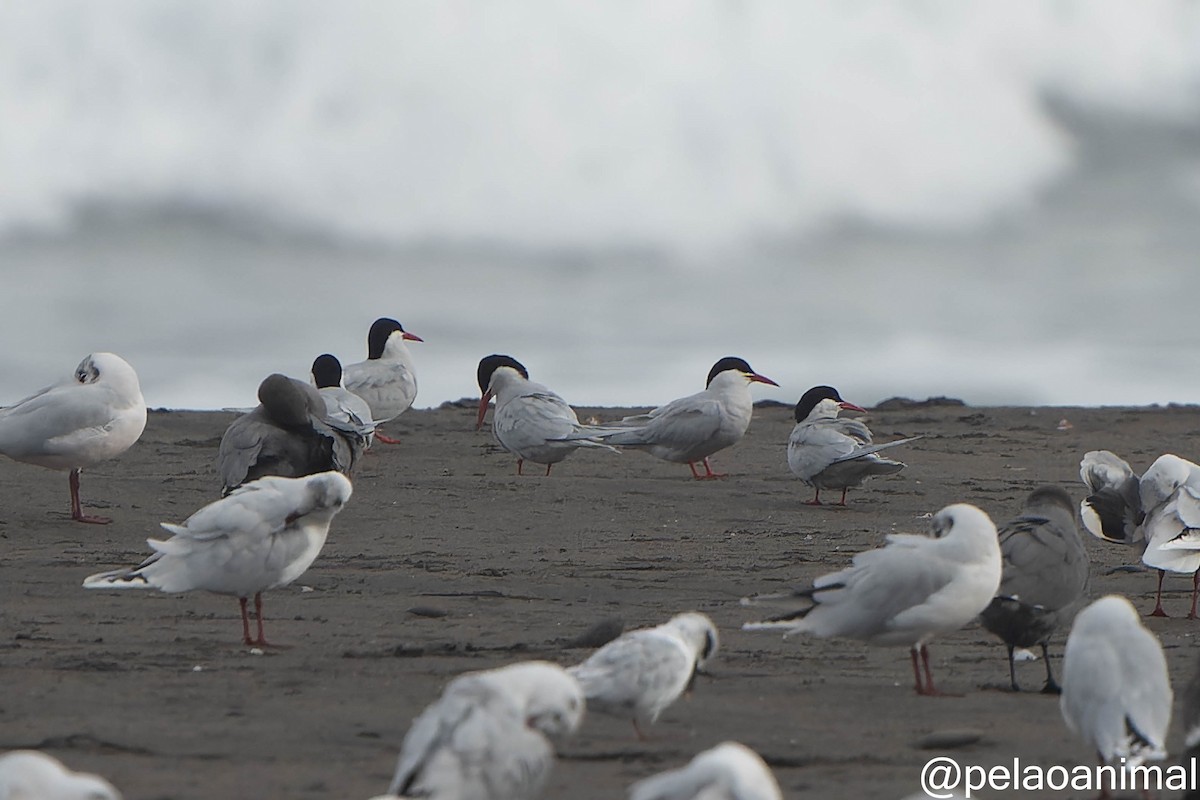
[95,416]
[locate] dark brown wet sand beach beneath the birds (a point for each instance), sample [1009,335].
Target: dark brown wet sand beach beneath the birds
[447,562]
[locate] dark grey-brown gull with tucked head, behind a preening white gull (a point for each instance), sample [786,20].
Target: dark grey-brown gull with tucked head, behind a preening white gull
[289,435]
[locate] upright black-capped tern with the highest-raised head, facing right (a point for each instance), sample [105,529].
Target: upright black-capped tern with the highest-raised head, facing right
[387,381]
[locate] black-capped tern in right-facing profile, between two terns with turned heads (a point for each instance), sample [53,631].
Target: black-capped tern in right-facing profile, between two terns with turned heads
[692,429]
